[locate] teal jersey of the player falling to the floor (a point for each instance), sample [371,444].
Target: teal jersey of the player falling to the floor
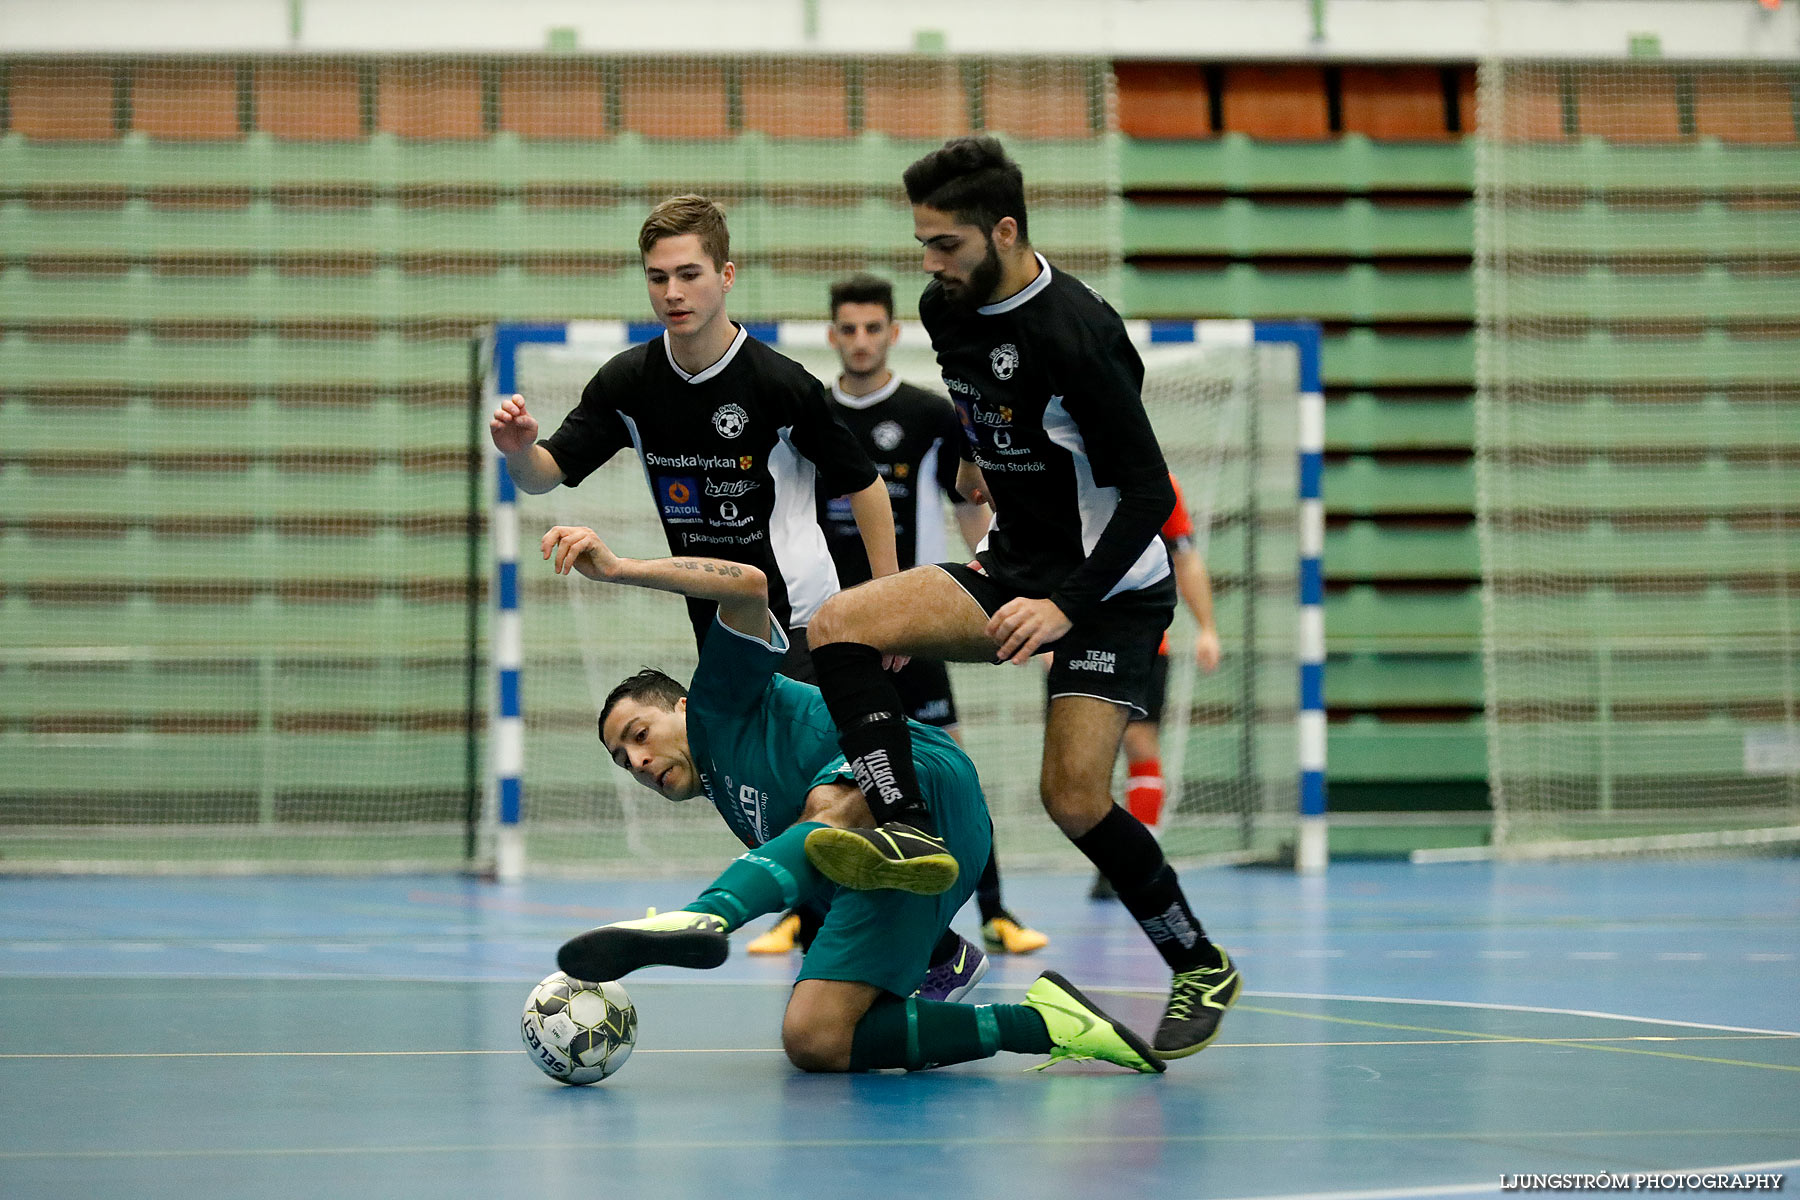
[760,742]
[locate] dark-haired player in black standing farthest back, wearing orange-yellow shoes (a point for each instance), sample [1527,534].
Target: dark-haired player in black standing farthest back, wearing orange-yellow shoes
[913,440]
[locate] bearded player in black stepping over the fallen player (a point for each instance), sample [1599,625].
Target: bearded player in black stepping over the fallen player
[1048,391]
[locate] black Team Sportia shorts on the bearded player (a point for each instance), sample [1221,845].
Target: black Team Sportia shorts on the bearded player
[1110,654]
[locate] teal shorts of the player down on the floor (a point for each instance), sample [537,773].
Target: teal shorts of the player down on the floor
[885,938]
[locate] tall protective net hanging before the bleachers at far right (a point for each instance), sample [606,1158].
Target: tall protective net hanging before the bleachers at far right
[1639,458]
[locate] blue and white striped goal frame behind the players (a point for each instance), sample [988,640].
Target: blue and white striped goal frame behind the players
[507,758]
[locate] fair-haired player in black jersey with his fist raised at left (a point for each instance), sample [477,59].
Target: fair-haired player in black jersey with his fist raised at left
[732,434]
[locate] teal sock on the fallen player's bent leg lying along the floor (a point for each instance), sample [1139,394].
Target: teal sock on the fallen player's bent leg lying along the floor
[926,1034]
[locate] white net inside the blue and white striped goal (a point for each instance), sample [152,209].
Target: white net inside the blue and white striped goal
[1227,420]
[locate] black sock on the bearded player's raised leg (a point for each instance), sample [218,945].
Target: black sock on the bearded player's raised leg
[872,730]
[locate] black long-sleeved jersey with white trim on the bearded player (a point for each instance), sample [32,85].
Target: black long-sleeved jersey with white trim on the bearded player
[1050,395]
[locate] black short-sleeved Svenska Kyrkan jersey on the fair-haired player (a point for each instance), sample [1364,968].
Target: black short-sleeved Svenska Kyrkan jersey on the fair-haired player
[732,454]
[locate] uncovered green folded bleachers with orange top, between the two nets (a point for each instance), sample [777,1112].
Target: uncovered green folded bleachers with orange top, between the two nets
[1345,195]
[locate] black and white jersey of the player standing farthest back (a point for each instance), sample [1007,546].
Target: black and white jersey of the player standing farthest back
[913,440]
